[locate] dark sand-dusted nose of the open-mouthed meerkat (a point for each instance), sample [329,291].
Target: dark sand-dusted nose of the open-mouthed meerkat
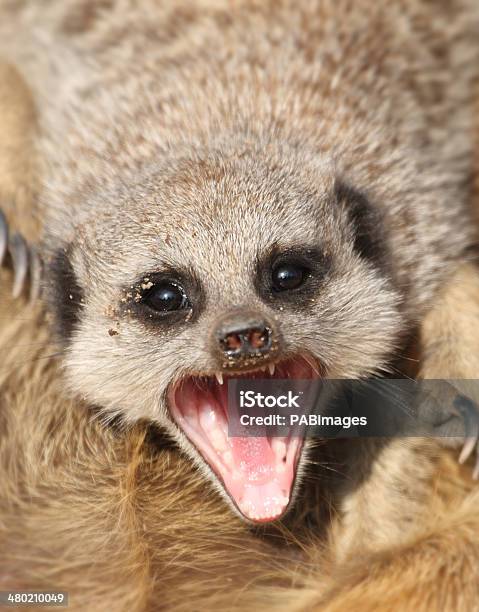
[244,335]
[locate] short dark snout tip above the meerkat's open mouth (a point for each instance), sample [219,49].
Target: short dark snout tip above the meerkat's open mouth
[243,338]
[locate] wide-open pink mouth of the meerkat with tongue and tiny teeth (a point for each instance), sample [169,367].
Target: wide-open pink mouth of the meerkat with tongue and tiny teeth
[257,472]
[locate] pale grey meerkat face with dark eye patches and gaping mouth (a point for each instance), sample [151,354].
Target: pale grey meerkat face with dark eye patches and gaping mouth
[215,269]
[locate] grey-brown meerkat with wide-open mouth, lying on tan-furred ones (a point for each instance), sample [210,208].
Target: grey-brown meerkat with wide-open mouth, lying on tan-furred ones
[263,189]
